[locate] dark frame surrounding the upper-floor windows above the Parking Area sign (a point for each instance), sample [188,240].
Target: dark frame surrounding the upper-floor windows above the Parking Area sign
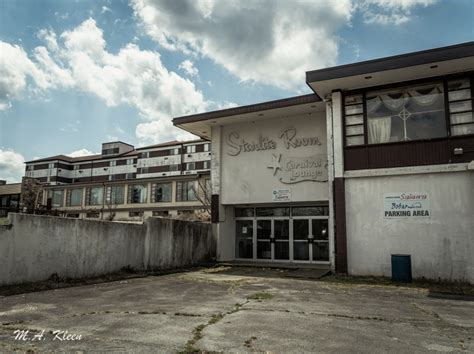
[441,79]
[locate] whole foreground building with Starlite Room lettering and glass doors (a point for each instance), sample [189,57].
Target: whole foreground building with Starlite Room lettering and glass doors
[378,161]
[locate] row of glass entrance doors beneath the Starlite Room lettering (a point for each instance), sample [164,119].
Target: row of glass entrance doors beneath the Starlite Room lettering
[302,239]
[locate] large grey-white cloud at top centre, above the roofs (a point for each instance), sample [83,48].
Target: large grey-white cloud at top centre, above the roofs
[270,42]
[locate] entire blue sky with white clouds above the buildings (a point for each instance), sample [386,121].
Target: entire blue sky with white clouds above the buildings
[74,74]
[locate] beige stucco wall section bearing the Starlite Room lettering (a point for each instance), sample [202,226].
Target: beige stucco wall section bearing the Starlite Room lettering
[248,176]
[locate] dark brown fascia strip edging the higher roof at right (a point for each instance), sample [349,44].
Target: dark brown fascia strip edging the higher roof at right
[394,62]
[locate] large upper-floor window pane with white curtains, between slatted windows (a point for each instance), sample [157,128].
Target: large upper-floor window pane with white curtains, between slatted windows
[404,114]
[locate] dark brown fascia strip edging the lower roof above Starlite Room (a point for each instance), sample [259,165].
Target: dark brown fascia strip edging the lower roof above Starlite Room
[286,102]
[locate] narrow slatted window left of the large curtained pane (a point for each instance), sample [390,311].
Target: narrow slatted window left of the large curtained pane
[354,120]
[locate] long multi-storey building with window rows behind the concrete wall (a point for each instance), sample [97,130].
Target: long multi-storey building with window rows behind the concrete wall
[125,183]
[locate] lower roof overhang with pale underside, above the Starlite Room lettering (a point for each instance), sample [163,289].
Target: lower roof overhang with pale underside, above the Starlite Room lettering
[201,124]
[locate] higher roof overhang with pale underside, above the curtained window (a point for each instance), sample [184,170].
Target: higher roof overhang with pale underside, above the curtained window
[406,67]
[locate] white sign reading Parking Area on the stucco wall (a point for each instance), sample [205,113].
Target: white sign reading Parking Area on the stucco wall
[406,205]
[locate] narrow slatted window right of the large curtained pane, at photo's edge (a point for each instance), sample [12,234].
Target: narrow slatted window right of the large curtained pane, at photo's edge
[460,107]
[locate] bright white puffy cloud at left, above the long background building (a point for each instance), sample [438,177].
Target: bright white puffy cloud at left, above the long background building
[78,59]
